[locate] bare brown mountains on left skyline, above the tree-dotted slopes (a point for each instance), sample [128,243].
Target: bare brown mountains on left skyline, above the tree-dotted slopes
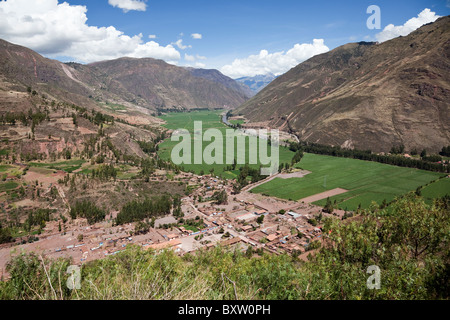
[142,83]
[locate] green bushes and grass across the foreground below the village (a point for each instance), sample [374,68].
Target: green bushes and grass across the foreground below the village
[410,245]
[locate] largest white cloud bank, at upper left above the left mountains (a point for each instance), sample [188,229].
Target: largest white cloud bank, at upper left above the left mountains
[61,30]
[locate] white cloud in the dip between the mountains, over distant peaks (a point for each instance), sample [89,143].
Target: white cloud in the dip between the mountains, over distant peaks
[276,63]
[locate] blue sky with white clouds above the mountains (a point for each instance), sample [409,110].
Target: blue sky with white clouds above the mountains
[238,37]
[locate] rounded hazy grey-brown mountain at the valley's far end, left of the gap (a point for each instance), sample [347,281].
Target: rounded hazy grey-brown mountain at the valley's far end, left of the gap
[155,84]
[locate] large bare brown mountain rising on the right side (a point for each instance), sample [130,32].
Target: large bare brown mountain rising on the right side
[366,95]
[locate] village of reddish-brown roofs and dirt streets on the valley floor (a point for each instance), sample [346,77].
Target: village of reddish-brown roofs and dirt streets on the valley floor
[245,220]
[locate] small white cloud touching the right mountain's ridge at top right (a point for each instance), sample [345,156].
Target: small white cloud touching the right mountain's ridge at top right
[391,31]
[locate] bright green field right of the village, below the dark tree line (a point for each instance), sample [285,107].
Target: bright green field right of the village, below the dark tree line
[366,181]
